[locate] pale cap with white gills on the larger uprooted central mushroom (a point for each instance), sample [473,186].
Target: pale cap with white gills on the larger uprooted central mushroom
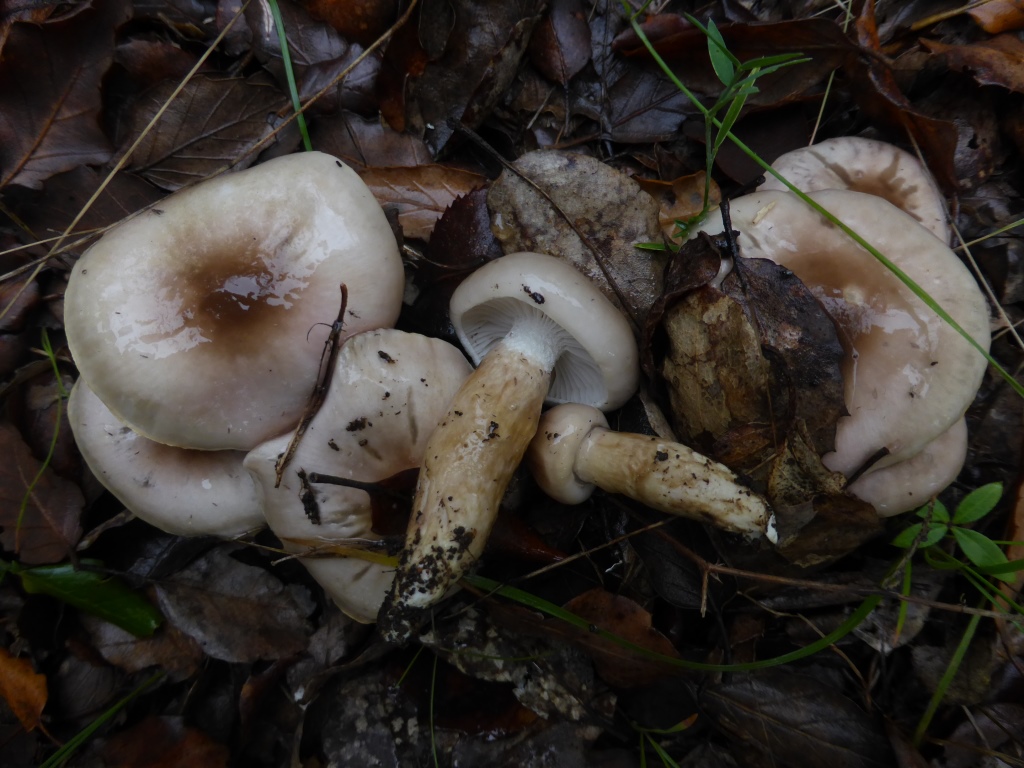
[600,366]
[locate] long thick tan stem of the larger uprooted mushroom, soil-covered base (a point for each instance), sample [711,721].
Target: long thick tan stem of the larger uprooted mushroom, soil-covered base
[468,463]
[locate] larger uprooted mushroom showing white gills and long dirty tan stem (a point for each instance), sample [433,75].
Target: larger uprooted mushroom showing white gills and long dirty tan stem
[539,330]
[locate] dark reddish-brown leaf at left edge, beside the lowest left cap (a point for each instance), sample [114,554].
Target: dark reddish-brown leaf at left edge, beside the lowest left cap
[50,528]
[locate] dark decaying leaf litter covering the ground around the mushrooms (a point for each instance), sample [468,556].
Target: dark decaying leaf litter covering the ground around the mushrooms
[489,129]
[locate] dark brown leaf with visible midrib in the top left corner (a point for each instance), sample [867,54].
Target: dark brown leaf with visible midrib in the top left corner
[51,94]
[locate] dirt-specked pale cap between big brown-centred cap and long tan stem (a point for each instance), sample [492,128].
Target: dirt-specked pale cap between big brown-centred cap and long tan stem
[389,393]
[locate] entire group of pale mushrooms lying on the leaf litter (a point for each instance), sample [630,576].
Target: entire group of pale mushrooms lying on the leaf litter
[200,338]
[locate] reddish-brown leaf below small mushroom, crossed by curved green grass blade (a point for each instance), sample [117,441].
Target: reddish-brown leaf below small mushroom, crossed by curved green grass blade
[617,665]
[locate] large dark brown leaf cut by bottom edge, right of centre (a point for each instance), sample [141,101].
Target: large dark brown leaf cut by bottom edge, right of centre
[798,721]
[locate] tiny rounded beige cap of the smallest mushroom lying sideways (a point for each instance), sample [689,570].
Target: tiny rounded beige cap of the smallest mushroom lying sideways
[552,455]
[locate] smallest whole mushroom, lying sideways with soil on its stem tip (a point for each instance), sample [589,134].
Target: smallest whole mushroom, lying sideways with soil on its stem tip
[574,452]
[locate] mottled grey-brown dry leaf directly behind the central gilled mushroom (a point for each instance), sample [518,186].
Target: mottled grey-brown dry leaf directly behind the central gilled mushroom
[588,214]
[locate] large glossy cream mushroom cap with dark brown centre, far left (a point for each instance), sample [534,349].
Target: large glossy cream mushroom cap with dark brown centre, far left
[201,323]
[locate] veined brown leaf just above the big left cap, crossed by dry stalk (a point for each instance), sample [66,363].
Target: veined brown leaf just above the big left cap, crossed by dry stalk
[214,124]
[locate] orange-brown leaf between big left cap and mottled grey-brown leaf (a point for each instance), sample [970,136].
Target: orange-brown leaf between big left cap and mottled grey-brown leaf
[421,194]
